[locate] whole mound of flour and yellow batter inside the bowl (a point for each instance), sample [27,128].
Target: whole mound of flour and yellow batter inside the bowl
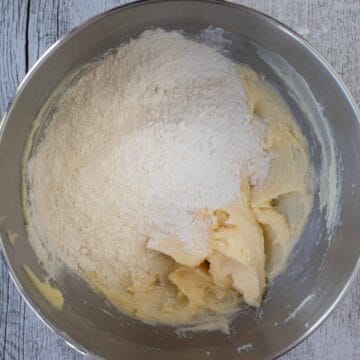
[171,179]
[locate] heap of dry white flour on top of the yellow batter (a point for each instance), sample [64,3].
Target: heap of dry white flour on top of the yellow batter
[142,142]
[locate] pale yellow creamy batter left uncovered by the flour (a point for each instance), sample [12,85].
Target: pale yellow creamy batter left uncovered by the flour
[250,241]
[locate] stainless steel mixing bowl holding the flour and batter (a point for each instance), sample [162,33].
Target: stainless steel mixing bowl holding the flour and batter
[320,269]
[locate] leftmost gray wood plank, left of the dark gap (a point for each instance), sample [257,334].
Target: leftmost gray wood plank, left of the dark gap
[13,22]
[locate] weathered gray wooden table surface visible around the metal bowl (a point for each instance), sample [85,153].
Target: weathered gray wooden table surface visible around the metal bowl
[29,27]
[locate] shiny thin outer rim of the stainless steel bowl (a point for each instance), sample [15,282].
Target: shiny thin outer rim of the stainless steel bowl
[58,43]
